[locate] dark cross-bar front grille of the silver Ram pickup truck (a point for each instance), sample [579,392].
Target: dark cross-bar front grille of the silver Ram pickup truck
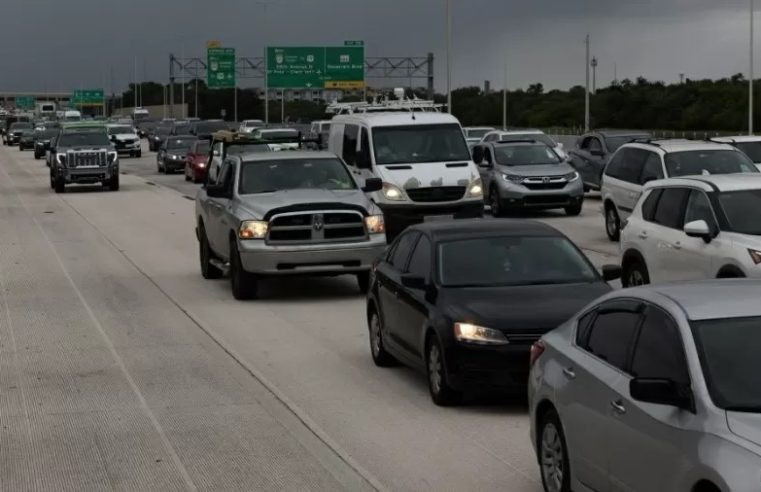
[316,227]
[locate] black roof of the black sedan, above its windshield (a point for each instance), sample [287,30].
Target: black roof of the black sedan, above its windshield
[468,228]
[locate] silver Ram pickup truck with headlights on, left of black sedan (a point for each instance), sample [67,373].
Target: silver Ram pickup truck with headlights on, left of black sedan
[287,213]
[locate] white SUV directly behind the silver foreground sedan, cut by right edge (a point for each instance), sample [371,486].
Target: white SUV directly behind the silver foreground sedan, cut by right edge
[694,227]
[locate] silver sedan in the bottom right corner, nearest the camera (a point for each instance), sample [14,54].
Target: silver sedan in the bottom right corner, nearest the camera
[652,389]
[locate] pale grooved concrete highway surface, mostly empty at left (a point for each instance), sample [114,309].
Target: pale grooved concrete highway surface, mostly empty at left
[122,368]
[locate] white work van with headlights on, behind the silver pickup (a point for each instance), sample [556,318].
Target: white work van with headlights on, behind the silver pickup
[422,158]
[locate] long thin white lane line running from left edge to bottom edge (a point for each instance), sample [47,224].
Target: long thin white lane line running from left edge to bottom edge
[143,403]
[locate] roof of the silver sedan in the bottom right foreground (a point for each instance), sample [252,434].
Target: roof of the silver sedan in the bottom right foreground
[707,299]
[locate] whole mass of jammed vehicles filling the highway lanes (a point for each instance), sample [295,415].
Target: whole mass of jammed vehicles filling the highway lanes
[648,384]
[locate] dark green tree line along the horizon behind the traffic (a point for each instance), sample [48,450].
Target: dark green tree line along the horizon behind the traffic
[694,105]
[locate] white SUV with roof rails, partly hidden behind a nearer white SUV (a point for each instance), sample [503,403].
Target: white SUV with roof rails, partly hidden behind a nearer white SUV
[637,163]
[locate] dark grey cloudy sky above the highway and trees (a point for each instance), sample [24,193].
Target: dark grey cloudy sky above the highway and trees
[65,44]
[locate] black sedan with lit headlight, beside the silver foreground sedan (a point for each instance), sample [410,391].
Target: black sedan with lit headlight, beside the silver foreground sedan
[464,300]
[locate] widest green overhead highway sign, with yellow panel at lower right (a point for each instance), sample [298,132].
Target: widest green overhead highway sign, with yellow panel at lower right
[339,67]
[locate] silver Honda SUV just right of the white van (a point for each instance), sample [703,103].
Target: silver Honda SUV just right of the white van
[526,173]
